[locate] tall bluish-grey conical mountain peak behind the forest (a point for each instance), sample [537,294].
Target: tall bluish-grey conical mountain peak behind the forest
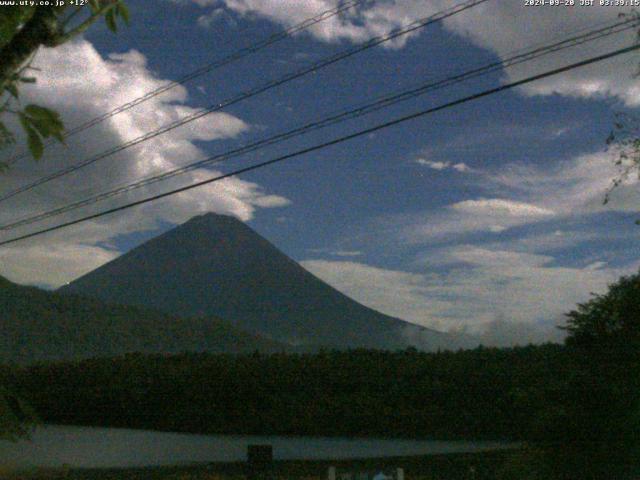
[216,265]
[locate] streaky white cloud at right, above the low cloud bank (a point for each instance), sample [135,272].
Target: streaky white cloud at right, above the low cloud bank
[526,195]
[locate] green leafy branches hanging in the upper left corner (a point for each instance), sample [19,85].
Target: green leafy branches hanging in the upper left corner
[23,30]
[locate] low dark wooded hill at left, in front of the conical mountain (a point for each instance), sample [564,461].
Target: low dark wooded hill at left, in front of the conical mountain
[37,325]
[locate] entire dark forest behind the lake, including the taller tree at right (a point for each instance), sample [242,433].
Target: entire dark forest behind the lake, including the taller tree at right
[575,406]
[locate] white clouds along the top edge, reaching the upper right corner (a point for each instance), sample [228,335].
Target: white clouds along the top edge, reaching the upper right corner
[501,26]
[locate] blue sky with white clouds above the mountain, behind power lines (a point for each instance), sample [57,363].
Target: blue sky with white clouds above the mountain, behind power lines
[485,218]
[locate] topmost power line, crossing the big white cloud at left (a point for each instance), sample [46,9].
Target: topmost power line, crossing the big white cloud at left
[233,57]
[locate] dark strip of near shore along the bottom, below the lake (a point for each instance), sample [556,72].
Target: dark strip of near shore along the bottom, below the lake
[476,466]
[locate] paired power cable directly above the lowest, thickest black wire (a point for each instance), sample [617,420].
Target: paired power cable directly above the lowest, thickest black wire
[383,102]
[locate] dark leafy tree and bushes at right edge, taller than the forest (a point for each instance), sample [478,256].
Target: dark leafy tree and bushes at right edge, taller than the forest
[590,427]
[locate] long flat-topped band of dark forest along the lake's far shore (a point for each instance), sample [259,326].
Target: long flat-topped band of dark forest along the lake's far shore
[478,394]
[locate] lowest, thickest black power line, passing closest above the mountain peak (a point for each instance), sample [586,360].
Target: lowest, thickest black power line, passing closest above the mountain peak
[335,141]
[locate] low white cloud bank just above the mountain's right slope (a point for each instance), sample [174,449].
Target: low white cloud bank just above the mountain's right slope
[503,297]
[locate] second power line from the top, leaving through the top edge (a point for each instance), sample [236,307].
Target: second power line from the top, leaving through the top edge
[418,24]
